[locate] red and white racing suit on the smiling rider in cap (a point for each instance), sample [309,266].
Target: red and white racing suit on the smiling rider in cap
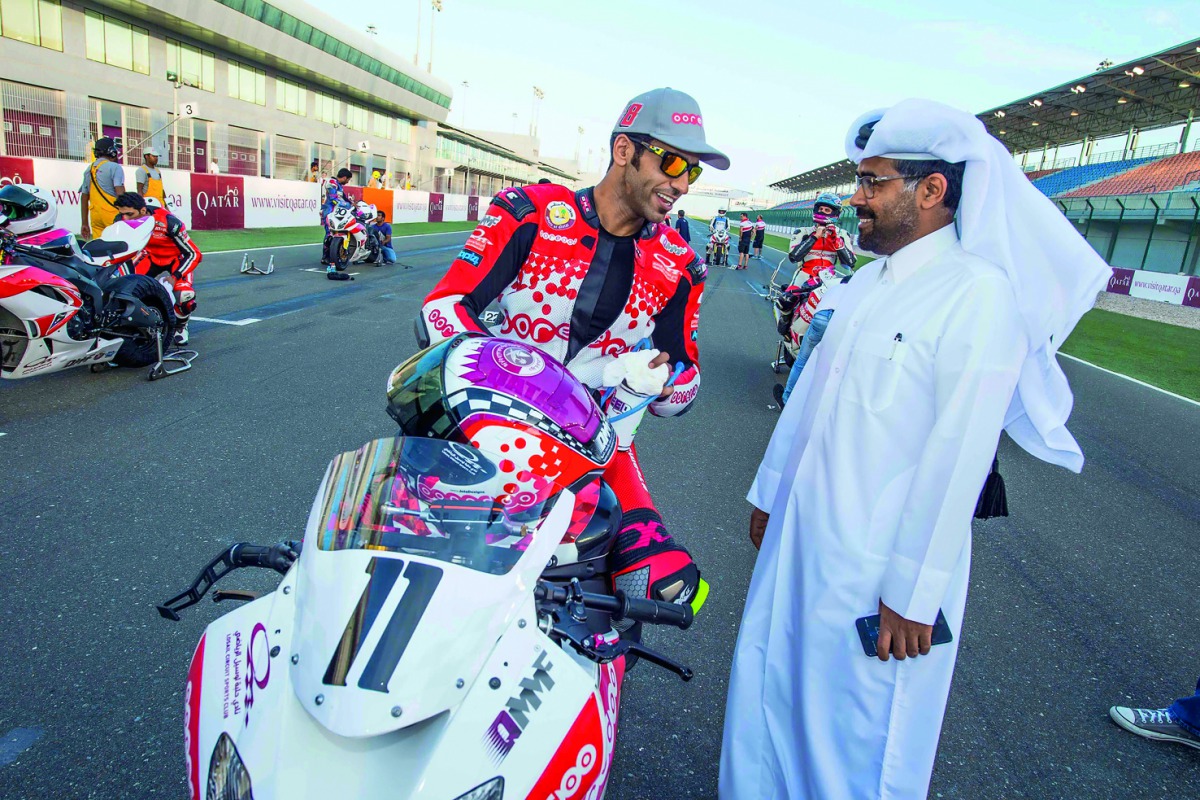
[585,297]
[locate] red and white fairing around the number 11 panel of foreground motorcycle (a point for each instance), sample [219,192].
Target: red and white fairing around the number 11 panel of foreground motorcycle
[544,721]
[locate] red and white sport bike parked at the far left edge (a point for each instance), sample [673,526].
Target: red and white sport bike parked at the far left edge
[63,306]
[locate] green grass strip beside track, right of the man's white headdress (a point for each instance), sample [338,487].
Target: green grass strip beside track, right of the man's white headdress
[1155,353]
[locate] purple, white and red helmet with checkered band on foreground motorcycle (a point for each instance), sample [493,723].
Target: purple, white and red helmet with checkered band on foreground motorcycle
[508,400]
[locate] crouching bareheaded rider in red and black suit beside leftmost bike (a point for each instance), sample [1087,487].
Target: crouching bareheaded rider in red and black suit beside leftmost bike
[171,251]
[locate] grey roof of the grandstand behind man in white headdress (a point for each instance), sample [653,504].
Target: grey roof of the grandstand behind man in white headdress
[1155,92]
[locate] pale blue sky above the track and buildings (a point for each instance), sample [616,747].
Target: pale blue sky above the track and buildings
[778,82]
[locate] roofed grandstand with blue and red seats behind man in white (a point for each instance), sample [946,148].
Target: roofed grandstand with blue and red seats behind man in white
[1079,145]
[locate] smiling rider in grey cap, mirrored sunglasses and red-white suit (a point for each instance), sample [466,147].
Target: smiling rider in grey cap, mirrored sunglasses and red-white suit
[586,276]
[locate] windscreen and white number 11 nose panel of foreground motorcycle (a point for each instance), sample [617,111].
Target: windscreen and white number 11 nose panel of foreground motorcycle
[418,557]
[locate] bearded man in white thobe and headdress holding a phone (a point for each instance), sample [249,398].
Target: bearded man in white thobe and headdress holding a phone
[865,500]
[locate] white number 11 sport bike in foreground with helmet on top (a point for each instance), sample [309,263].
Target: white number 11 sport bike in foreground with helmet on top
[447,629]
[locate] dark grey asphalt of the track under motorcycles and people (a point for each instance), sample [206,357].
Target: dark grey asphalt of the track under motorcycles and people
[119,490]
